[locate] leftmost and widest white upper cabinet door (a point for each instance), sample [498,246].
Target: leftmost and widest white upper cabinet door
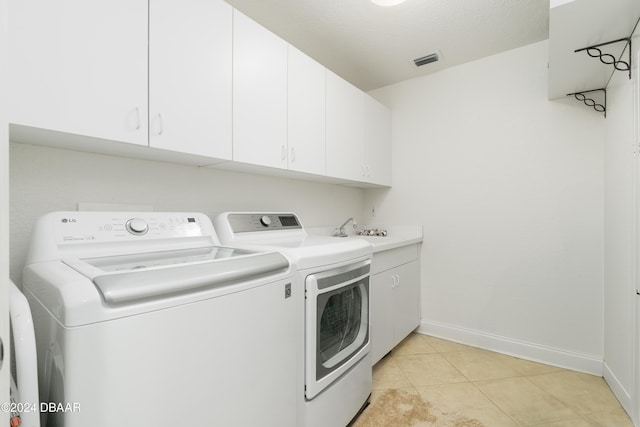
[80,67]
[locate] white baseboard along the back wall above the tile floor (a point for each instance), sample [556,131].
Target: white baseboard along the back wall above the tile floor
[588,363]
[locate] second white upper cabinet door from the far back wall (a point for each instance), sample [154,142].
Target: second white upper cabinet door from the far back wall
[345,125]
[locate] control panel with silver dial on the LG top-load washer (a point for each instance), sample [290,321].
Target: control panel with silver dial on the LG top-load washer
[106,226]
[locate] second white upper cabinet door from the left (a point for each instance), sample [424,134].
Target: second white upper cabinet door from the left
[190,76]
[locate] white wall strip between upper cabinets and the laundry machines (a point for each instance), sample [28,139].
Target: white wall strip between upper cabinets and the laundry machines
[48,179]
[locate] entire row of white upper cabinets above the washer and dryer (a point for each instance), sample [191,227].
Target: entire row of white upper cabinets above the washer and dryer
[193,82]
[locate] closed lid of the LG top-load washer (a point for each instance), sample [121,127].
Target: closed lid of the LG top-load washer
[125,278]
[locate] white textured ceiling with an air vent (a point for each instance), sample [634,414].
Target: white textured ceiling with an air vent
[373,46]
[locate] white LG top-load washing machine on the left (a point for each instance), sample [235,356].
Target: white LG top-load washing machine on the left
[142,319]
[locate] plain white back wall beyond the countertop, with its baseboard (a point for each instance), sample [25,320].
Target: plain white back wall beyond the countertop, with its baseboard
[509,189]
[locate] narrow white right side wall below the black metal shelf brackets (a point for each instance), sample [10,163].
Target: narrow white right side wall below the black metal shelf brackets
[620,218]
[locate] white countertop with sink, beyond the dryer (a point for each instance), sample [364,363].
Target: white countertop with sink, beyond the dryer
[397,236]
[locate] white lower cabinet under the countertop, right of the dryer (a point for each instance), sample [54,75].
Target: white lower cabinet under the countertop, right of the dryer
[395,298]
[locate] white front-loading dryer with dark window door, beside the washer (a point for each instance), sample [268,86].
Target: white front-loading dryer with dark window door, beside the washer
[331,291]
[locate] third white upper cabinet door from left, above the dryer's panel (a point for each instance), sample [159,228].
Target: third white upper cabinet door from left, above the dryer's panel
[259,94]
